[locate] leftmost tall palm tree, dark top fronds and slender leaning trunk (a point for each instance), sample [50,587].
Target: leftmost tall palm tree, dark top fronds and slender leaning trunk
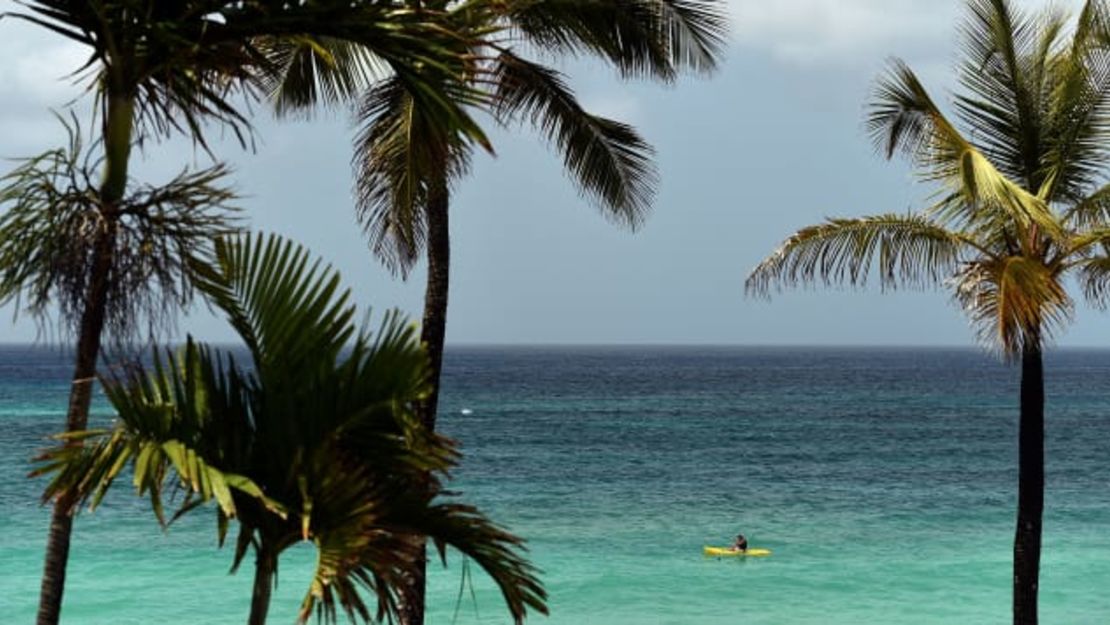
[160,67]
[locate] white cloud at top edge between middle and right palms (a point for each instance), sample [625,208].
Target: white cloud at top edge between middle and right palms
[837,32]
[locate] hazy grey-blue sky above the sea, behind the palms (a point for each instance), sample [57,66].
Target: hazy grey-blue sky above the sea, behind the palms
[772,143]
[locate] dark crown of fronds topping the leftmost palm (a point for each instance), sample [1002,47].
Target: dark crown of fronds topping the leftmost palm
[191,64]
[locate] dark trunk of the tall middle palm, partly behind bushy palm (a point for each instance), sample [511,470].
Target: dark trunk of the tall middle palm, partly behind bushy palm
[433,334]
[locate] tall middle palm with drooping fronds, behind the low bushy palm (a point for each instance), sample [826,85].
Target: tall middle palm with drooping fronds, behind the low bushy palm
[409,156]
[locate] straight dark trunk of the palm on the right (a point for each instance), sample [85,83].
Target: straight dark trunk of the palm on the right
[1027,541]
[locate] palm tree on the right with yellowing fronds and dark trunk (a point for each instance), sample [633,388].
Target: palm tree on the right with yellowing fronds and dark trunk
[1022,206]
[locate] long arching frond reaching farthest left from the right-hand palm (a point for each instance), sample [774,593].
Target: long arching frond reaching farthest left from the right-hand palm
[905,250]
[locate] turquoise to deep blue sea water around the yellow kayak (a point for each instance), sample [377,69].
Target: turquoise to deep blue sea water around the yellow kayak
[883,480]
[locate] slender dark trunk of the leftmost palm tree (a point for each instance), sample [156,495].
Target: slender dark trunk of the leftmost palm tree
[118,144]
